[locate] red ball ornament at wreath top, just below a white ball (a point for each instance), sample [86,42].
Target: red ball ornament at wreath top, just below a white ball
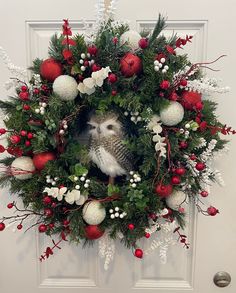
[130,65]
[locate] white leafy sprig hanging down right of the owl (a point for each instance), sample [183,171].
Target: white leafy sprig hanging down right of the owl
[155,126]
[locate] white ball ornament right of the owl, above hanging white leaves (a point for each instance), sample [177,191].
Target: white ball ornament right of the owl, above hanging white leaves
[172,114]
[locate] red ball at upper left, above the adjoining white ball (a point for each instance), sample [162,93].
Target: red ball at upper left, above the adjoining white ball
[50,69]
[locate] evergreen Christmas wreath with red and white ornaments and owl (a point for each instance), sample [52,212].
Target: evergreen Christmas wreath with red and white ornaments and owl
[111,137]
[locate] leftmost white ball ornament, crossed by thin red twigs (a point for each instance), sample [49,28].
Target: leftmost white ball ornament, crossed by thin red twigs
[22,164]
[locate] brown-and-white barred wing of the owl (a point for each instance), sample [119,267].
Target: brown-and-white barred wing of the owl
[117,148]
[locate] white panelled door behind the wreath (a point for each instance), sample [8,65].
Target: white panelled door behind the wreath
[25,29]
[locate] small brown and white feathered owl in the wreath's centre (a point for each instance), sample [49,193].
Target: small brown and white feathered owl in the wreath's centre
[106,148]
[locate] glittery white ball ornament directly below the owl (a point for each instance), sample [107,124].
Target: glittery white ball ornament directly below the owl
[93,213]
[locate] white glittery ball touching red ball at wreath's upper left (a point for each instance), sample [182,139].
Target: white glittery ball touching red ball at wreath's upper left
[65,87]
